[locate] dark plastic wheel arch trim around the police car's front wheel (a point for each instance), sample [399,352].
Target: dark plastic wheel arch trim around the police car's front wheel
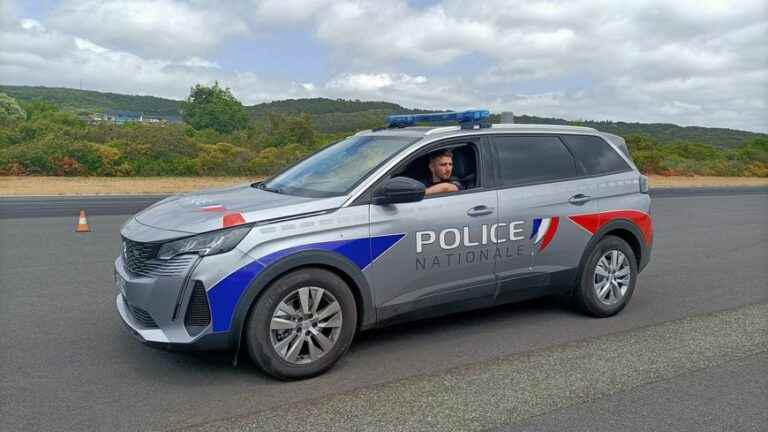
[330,261]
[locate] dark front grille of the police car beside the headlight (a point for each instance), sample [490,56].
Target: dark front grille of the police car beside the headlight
[140,259]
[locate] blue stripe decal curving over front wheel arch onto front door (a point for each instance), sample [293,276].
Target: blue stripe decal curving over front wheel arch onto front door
[224,295]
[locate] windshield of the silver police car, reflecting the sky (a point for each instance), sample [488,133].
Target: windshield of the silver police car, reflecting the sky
[336,169]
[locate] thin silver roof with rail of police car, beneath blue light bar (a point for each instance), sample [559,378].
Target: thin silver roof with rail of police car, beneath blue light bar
[432,131]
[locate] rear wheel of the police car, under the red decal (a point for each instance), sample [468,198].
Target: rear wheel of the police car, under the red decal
[597,293]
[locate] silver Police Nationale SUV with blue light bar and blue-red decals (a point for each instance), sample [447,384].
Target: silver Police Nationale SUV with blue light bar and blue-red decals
[291,268]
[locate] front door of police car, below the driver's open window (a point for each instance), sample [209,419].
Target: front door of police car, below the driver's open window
[437,255]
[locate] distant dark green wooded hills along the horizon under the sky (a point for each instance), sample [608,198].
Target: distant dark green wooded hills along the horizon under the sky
[339,115]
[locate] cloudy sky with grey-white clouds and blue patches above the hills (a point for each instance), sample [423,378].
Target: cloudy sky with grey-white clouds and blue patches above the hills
[702,62]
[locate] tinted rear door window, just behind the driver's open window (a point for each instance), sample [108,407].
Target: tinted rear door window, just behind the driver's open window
[526,159]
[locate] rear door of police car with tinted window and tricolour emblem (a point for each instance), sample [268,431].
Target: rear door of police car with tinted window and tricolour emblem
[540,187]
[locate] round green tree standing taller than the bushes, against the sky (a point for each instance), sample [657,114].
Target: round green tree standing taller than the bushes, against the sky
[214,108]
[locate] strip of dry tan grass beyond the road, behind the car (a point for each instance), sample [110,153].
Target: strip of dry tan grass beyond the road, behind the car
[31,186]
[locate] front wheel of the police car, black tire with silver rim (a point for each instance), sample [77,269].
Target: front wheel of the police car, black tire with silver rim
[294,331]
